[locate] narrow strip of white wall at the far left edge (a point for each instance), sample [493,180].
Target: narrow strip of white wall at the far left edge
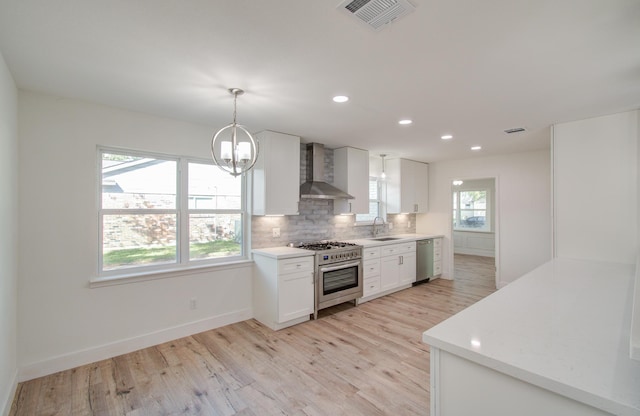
[8,236]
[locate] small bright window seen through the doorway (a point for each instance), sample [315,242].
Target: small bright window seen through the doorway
[470,210]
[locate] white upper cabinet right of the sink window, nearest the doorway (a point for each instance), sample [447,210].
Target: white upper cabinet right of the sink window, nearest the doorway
[407,186]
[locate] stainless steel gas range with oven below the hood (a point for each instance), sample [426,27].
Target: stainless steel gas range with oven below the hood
[338,273]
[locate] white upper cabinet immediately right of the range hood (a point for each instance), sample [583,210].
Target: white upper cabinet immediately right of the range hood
[351,174]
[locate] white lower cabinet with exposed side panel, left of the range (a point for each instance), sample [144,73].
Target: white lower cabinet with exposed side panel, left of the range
[283,290]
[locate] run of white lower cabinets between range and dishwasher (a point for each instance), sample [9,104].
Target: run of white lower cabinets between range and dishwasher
[388,268]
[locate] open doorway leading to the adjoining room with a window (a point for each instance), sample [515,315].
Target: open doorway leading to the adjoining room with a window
[475,230]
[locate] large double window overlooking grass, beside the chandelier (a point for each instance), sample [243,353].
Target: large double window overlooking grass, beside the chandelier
[159,212]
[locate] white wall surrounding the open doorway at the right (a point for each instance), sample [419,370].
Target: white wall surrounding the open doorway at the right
[523,206]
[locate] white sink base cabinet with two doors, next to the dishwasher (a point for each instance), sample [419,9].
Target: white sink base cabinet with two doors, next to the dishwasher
[397,265]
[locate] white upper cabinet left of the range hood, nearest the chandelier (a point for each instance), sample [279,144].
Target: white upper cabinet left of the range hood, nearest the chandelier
[276,175]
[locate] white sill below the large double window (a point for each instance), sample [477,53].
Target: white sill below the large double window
[126,278]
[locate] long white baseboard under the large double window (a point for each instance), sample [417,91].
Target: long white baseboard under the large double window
[102,352]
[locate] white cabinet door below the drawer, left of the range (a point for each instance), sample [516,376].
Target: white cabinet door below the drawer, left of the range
[295,296]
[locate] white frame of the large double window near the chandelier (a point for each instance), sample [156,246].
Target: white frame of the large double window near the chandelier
[182,212]
